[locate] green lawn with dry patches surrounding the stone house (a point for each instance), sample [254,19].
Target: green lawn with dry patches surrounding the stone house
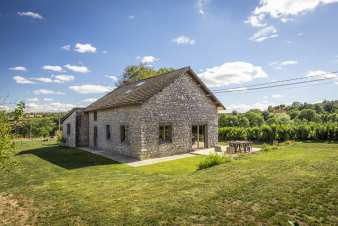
[60,186]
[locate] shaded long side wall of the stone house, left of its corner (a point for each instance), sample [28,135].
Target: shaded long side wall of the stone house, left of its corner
[115,118]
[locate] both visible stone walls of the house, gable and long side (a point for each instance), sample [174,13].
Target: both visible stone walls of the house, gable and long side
[182,104]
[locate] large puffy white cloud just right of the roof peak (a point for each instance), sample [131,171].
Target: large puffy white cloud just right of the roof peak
[232,73]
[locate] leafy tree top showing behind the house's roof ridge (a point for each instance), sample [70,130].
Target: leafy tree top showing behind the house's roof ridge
[141,71]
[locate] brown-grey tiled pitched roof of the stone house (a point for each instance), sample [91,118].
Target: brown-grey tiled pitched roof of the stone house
[135,93]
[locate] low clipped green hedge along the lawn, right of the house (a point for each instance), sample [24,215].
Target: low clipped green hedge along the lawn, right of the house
[266,133]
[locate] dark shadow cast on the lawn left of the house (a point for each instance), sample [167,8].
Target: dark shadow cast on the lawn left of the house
[68,158]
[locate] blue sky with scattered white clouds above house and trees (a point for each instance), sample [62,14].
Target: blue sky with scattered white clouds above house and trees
[56,55]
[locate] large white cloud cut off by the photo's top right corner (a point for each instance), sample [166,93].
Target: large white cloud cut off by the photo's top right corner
[284,10]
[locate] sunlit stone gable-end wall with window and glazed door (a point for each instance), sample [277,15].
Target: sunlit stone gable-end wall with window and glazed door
[181,104]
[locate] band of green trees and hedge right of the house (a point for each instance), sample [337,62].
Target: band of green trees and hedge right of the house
[299,121]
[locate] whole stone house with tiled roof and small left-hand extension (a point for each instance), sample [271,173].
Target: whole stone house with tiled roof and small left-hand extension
[160,116]
